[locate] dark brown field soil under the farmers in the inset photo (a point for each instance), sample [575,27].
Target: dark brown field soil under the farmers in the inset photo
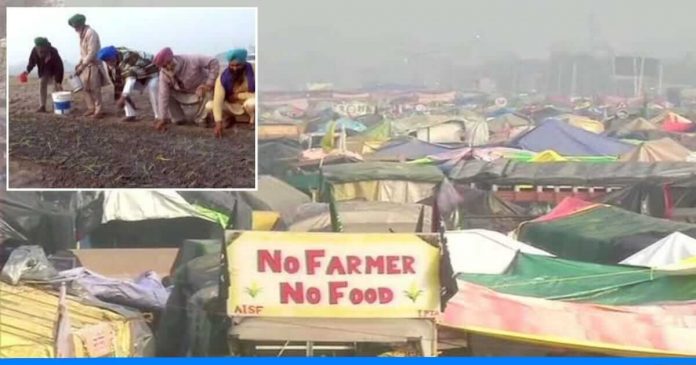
[54,151]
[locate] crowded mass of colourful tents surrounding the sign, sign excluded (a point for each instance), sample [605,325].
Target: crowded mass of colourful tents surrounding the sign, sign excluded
[584,272]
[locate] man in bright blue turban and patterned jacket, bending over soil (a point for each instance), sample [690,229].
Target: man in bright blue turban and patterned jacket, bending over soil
[128,70]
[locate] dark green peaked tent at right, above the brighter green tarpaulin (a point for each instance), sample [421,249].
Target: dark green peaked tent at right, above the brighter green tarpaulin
[601,233]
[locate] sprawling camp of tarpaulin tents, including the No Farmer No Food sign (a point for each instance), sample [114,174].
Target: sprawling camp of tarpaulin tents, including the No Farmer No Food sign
[510,236]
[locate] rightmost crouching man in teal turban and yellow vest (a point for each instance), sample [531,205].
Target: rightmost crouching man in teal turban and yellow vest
[234,91]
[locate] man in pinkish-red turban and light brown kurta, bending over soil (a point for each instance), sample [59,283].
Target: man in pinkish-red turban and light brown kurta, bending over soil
[185,80]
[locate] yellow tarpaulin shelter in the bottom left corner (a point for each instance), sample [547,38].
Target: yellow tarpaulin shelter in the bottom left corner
[27,325]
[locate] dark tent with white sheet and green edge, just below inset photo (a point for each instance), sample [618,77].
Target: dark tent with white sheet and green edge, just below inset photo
[160,218]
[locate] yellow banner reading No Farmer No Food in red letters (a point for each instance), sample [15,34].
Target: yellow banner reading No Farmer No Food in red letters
[332,275]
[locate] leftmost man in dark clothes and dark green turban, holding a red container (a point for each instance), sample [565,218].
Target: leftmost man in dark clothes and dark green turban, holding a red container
[50,67]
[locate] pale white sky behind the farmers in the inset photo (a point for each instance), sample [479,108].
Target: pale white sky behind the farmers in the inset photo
[185,30]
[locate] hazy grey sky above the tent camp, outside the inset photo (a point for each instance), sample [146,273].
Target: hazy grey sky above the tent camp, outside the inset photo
[319,40]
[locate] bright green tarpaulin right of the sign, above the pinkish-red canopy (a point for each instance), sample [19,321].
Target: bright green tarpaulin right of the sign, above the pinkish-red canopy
[560,279]
